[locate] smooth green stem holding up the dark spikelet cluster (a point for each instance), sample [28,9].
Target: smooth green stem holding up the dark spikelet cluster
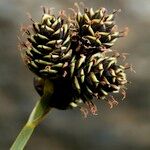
[37,115]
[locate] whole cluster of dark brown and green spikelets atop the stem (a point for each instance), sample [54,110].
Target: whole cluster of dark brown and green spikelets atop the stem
[74,52]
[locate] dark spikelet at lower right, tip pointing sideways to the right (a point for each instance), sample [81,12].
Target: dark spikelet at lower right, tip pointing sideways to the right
[97,76]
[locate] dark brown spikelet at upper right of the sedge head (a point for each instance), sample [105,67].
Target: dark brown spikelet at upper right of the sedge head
[94,31]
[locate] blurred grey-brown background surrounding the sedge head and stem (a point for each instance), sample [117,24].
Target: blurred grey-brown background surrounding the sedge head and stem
[126,127]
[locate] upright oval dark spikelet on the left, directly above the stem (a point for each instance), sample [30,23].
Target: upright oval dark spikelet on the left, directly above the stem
[49,49]
